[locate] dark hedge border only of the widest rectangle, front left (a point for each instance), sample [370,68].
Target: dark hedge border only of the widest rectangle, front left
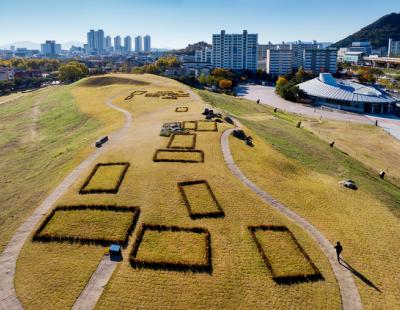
[37,237]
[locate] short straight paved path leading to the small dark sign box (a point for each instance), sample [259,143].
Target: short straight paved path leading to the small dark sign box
[93,290]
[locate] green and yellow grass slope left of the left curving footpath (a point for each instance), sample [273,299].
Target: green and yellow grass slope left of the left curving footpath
[44,134]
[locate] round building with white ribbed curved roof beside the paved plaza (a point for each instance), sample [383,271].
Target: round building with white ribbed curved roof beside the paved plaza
[347,95]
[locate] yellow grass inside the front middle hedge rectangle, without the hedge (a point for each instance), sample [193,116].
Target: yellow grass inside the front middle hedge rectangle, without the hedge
[181,247]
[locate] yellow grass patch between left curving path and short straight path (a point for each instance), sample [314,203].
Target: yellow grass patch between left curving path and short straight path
[53,275]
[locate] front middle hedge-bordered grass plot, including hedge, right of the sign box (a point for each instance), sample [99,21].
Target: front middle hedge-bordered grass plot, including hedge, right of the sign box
[175,248]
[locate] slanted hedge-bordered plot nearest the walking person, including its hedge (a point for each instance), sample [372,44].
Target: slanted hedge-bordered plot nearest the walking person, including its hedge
[283,255]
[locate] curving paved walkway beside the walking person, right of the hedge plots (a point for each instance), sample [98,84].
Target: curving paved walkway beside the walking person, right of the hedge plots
[348,289]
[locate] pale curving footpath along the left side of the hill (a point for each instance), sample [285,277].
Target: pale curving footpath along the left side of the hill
[8,258]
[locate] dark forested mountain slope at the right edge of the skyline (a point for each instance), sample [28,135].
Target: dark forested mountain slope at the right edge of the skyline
[378,33]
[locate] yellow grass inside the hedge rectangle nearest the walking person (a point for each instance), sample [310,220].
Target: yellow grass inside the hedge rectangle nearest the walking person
[283,254]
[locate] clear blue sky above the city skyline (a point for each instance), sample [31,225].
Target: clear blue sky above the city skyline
[175,23]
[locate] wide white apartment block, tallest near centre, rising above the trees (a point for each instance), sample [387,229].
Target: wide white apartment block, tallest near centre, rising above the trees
[235,51]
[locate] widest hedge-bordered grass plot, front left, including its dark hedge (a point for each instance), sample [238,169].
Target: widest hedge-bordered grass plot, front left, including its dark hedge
[88,224]
